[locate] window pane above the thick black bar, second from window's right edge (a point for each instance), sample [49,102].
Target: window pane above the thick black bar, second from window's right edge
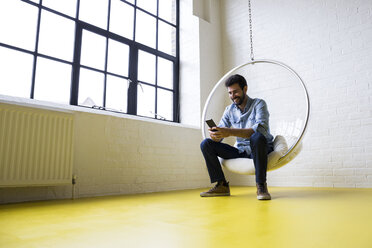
[145,29]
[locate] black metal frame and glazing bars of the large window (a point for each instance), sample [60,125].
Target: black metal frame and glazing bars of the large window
[134,48]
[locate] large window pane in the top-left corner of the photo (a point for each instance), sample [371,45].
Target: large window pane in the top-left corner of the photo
[18,24]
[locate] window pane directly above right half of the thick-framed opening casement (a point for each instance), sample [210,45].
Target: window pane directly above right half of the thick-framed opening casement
[122,19]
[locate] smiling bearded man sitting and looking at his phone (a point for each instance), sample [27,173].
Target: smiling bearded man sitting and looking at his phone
[248,120]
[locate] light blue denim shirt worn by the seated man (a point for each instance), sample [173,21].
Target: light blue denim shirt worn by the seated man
[255,115]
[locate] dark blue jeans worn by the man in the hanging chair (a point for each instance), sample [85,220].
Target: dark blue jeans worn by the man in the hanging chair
[259,146]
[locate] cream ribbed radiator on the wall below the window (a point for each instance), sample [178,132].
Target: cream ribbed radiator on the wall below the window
[36,146]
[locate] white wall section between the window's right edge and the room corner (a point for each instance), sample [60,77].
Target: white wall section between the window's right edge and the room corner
[201,57]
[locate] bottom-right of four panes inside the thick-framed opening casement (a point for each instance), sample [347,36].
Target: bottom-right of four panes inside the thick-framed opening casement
[116,93]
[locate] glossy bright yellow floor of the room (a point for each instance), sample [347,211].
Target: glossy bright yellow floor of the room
[296,217]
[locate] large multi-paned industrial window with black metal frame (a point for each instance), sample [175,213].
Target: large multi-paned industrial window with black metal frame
[113,55]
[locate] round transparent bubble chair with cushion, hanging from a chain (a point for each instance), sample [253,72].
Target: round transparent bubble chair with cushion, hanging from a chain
[288,103]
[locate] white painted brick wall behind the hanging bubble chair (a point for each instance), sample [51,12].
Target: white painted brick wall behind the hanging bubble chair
[328,42]
